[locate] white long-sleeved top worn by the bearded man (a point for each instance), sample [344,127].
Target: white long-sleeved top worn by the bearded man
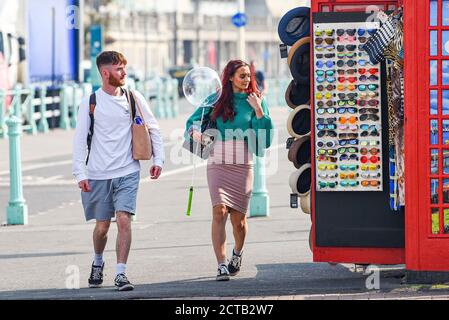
[110,155]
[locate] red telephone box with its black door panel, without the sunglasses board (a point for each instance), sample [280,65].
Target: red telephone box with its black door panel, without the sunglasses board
[418,236]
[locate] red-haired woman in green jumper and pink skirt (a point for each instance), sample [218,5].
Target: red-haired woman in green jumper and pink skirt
[244,128]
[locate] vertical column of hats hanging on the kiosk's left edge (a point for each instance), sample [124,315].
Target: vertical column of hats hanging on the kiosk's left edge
[294,32]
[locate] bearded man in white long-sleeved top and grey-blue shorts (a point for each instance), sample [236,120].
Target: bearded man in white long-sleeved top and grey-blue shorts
[110,180]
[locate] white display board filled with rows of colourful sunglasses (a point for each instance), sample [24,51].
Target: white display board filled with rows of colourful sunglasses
[347,109]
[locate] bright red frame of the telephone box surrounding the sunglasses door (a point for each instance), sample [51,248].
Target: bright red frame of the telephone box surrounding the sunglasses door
[425,249]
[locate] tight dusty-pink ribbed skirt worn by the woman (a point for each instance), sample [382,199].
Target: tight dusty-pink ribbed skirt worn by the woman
[230,175]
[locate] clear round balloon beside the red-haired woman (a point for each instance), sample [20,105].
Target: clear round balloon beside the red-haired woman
[202,87]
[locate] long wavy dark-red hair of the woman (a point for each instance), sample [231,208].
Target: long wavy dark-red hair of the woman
[224,107]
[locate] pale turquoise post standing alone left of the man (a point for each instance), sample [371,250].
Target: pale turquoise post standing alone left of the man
[17,210]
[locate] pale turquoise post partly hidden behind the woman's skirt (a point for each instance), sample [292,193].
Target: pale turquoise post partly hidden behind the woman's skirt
[260,201]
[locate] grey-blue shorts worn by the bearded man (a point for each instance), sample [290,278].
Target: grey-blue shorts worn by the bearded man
[110,196]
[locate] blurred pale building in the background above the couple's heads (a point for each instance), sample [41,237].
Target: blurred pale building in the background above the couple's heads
[157,34]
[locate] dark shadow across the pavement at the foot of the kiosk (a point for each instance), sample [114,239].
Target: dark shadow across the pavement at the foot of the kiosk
[271,280]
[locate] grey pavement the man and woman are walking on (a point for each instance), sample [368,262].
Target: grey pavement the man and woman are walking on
[171,255]
